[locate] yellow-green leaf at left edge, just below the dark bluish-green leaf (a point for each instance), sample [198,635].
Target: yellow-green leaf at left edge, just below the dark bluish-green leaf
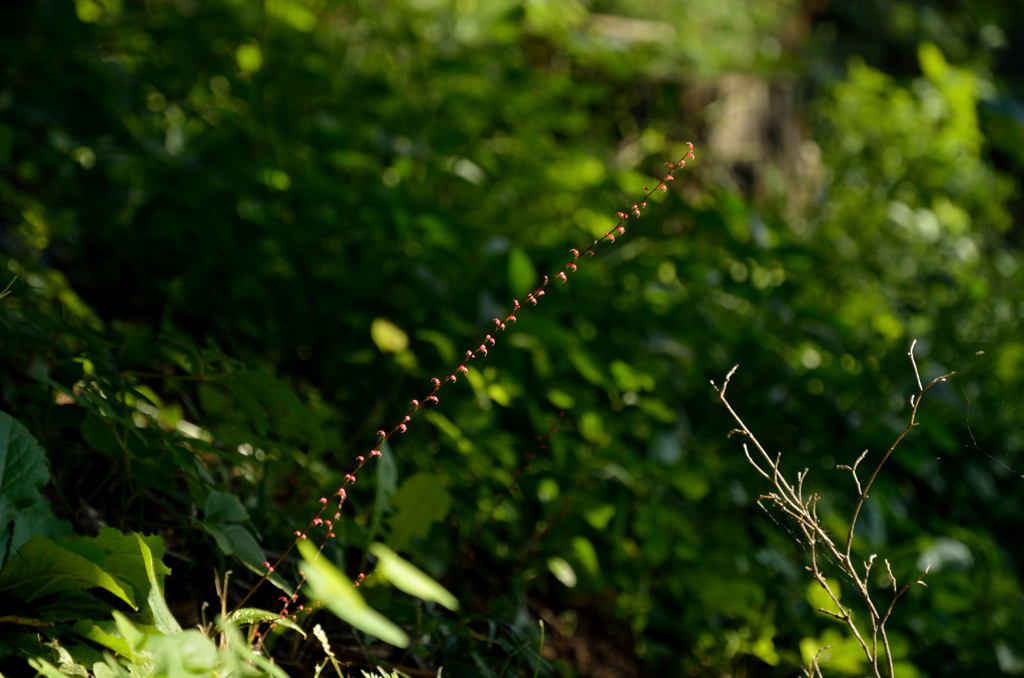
[42,567]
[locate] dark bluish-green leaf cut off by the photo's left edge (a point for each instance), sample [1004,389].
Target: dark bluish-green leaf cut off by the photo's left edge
[24,472]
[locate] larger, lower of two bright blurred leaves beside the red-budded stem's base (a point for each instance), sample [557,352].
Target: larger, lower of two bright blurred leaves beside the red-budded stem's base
[331,587]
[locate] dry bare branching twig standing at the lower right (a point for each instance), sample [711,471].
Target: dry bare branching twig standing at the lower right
[790,498]
